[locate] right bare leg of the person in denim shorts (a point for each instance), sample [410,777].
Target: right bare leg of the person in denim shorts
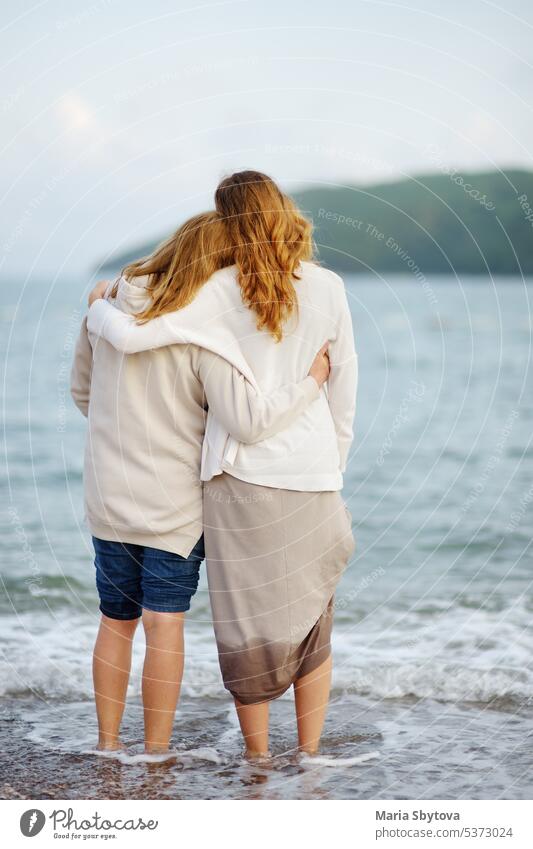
[162,674]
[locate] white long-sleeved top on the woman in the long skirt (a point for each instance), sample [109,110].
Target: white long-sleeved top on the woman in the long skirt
[309,454]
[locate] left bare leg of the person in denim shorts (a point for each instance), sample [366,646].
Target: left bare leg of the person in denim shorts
[111,672]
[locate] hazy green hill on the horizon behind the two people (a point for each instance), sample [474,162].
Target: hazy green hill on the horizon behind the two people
[434,224]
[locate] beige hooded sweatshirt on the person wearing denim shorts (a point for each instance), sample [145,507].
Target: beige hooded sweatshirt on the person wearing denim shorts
[146,421]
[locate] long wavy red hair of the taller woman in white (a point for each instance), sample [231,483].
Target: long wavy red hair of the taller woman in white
[269,238]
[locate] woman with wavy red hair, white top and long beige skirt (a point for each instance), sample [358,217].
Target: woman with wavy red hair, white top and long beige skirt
[277,533]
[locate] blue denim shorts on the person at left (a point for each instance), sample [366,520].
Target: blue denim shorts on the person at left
[130,577]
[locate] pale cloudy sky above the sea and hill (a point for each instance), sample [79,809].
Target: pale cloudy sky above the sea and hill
[119,117]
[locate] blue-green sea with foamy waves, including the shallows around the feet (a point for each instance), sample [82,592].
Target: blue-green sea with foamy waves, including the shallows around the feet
[433,637]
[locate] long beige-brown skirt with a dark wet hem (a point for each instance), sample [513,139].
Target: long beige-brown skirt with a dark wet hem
[274,558]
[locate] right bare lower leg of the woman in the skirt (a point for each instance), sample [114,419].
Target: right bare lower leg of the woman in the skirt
[311,693]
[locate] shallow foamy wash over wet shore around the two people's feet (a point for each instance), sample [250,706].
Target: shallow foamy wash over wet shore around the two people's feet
[424,750]
